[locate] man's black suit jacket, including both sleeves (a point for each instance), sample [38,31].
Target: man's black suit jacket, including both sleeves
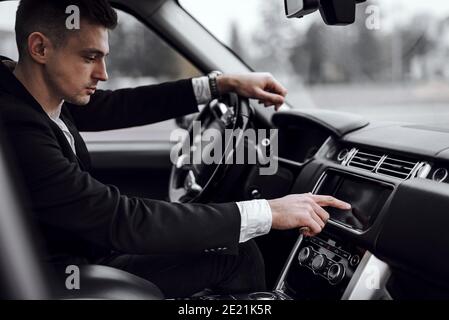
[82,217]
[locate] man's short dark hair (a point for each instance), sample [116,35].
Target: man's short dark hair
[49,17]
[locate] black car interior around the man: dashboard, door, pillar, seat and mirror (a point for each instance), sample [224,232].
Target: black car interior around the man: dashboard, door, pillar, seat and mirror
[392,245]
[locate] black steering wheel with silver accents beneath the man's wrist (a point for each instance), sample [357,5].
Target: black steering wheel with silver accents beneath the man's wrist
[198,167]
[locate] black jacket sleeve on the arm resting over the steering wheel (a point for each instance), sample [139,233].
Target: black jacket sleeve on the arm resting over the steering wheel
[109,110]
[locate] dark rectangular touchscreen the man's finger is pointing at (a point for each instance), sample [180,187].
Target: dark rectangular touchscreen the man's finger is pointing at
[366,196]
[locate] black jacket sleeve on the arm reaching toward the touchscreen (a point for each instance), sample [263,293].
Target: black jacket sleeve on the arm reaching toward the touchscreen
[69,199]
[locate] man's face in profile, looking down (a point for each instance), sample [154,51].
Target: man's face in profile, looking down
[74,69]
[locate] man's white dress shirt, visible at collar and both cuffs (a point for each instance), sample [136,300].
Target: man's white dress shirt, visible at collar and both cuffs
[256,216]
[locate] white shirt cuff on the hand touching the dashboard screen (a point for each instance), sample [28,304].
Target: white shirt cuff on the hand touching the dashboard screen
[256,219]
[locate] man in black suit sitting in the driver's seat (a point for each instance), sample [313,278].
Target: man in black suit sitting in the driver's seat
[51,94]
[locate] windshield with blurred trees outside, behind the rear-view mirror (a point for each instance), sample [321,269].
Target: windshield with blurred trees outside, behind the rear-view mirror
[392,64]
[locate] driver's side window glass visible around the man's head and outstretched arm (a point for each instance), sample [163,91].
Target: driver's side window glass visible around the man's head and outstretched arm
[137,57]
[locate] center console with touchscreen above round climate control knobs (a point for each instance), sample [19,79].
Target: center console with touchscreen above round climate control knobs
[328,265]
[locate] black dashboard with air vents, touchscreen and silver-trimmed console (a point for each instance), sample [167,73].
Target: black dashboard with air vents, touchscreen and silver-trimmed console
[396,178]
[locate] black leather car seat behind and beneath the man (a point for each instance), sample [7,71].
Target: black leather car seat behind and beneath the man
[22,275]
